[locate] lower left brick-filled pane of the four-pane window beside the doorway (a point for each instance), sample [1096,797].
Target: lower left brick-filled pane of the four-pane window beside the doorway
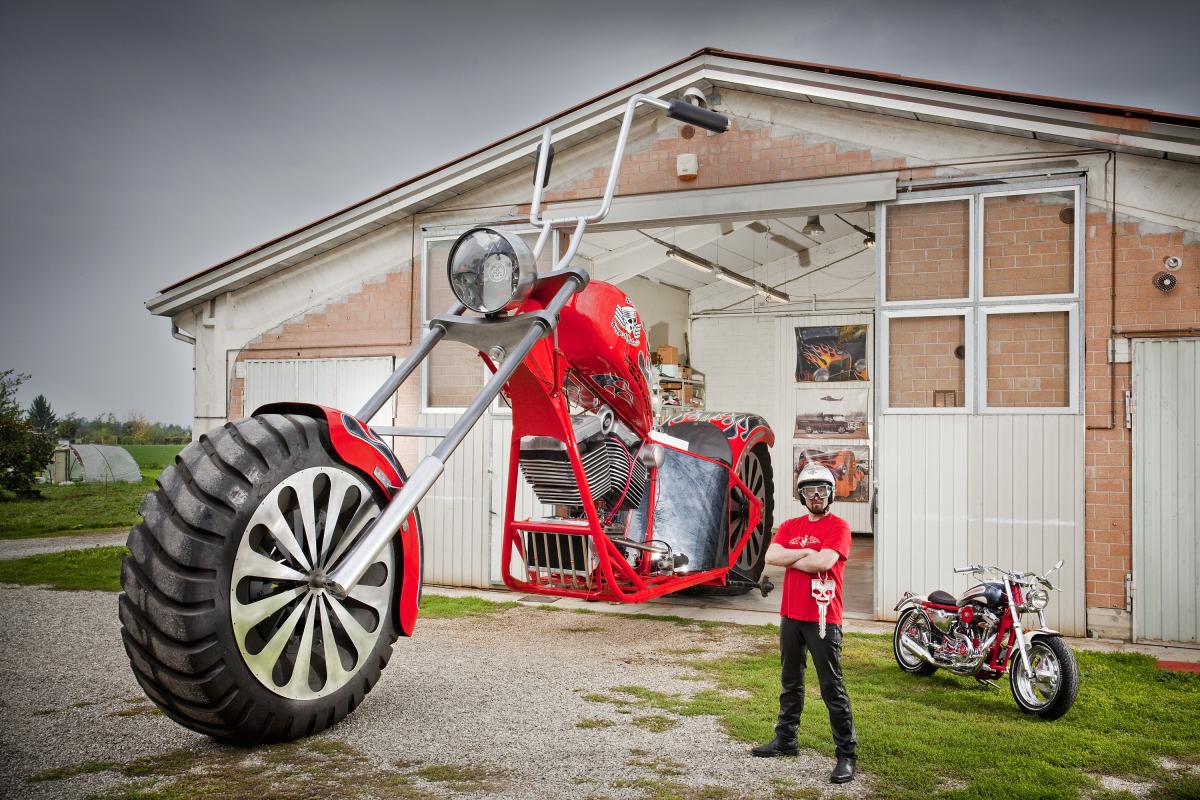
[927,362]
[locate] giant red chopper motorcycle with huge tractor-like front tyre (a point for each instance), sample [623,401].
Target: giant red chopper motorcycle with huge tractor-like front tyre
[281,556]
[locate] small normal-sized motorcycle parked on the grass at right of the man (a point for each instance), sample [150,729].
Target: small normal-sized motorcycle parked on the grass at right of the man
[981,635]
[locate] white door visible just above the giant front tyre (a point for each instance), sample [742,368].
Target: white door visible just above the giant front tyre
[345,384]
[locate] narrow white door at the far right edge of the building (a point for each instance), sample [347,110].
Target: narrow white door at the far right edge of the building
[1166,483]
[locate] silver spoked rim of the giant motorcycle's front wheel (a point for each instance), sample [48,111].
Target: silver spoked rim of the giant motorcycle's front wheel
[299,641]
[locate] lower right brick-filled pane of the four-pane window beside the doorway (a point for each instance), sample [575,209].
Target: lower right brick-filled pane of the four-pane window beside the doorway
[1028,360]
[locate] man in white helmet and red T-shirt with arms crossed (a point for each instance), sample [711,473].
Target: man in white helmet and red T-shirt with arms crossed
[814,549]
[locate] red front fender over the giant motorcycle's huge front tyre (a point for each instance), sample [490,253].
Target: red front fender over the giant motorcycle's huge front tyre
[357,447]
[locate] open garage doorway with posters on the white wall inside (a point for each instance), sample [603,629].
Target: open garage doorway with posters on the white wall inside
[771,315]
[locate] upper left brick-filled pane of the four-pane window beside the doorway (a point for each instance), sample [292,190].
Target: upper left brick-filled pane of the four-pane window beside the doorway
[928,251]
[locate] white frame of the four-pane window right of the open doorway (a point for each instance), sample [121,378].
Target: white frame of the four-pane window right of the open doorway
[980,308]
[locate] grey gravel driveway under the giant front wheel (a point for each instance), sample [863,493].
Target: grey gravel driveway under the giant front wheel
[471,707]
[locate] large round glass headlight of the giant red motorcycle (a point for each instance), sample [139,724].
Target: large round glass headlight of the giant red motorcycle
[491,272]
